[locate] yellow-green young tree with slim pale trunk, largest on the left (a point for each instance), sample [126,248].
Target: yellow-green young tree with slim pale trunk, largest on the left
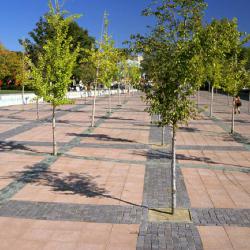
[52,73]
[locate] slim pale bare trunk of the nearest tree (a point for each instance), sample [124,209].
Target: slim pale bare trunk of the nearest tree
[173,171]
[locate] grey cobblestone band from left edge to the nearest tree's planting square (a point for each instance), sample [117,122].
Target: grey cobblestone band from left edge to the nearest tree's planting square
[74,212]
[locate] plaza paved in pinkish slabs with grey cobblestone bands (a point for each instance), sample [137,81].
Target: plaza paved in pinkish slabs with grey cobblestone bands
[109,185]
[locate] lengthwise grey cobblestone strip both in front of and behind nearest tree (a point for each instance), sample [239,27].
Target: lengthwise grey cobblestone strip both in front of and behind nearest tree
[157,194]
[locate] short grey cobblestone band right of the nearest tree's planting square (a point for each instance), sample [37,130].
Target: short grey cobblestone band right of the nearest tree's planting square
[220,216]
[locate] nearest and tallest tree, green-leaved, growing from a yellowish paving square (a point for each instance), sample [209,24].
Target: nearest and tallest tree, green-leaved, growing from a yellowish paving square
[172,57]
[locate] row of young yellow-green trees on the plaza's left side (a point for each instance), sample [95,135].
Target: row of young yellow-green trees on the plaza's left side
[50,68]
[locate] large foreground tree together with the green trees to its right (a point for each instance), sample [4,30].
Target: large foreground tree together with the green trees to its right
[181,53]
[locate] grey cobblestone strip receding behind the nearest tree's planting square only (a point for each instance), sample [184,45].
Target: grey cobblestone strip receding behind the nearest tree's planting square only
[157,182]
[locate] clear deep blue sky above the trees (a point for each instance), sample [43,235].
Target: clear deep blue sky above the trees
[18,17]
